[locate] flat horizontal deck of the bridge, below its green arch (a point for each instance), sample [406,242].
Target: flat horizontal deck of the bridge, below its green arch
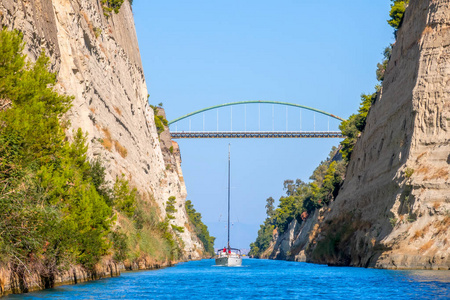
[254,134]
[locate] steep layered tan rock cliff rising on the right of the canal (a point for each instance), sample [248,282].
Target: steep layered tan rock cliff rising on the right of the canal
[393,210]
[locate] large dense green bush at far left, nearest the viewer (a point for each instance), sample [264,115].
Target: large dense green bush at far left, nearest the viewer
[52,214]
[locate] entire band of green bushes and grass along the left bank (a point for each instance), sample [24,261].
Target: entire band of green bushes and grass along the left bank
[56,207]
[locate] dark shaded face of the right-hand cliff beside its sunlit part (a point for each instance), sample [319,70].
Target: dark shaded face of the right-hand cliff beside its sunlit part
[355,227]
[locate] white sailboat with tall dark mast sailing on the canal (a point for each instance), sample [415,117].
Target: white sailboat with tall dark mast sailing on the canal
[228,256]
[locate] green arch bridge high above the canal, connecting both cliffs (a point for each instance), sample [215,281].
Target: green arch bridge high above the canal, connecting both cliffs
[254,132]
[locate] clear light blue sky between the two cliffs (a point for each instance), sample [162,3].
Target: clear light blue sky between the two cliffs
[196,54]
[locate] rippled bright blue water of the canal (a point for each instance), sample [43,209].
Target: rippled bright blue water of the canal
[259,279]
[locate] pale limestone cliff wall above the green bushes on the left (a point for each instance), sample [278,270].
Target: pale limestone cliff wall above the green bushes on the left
[97,60]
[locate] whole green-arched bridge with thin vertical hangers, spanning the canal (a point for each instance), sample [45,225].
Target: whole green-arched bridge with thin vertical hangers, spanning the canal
[257,126]
